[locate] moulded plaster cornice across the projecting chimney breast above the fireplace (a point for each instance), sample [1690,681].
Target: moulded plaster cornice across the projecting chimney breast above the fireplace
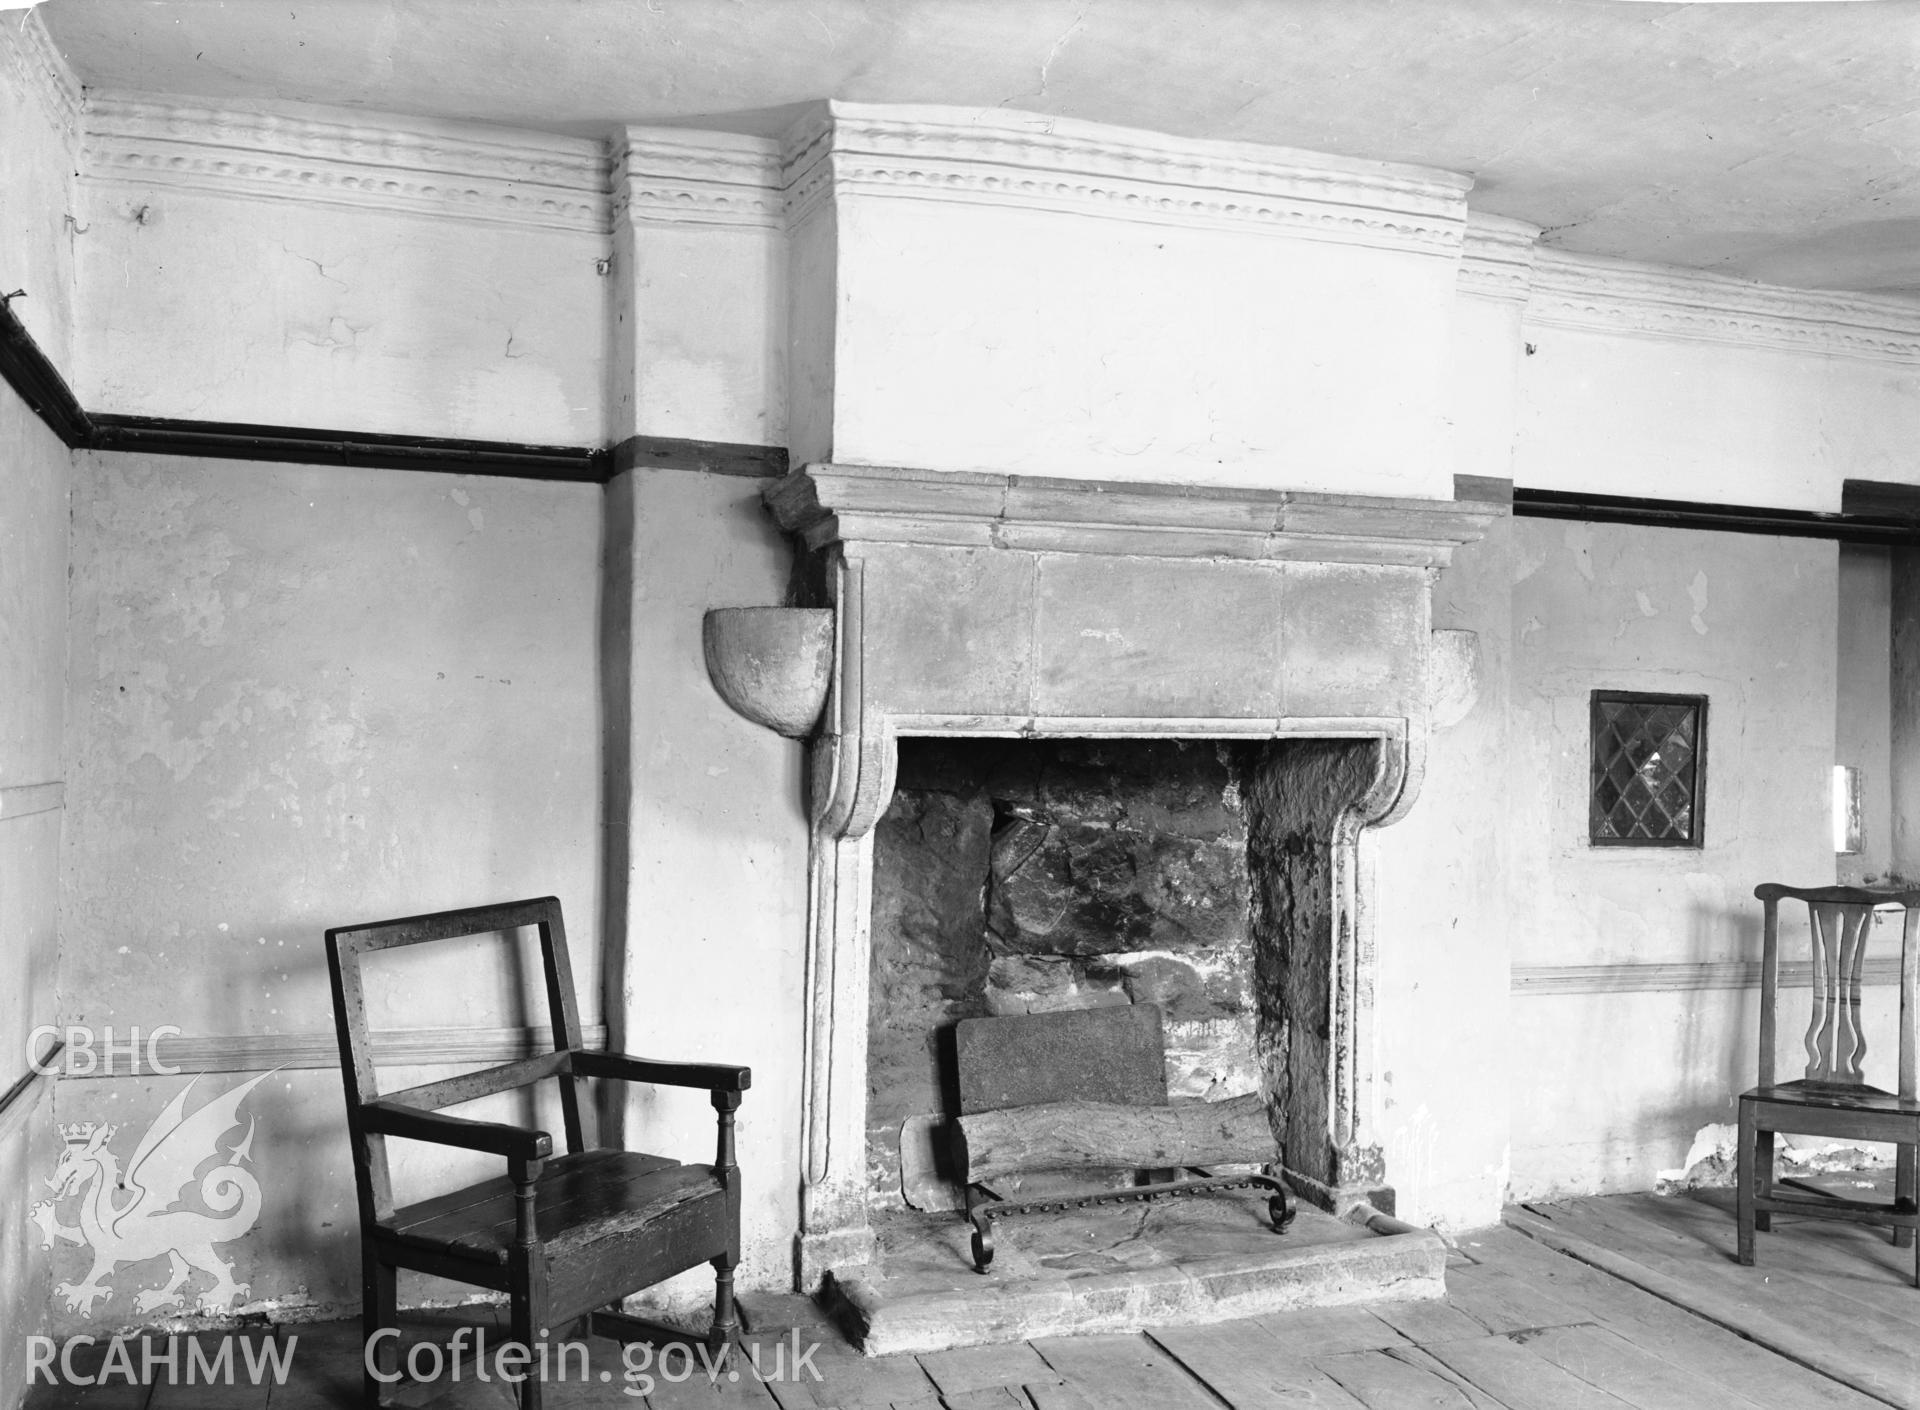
[1053,164]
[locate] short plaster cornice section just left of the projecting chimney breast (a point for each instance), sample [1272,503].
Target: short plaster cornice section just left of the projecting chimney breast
[681,178]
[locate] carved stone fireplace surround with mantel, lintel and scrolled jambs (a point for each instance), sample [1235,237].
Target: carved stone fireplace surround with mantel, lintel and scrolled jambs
[1019,606]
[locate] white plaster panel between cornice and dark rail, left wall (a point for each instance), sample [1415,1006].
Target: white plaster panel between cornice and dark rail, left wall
[283,312]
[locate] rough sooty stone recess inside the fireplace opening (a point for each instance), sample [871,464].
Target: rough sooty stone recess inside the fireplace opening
[1020,877]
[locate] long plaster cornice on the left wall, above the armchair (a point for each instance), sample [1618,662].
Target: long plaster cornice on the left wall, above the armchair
[404,166]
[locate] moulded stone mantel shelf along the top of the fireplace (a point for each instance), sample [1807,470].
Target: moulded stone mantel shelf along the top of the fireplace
[844,504]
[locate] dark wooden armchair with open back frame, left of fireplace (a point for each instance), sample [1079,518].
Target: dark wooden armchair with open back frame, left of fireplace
[565,1236]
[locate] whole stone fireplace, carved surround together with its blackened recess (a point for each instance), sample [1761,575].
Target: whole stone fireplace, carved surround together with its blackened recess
[1147,729]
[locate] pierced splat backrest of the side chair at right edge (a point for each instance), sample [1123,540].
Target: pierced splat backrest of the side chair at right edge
[1842,921]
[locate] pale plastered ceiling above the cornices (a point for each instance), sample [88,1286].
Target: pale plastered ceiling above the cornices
[1765,141]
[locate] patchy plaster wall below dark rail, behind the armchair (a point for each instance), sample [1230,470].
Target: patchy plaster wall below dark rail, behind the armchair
[300,698]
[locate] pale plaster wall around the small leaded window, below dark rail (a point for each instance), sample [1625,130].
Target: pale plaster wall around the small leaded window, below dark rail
[1612,1088]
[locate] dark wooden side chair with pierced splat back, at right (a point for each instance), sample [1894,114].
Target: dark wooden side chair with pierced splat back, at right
[1833,1100]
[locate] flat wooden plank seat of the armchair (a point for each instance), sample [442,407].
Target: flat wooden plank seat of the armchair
[579,1200]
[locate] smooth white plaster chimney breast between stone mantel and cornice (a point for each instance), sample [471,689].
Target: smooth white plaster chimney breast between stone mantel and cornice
[972,337]
